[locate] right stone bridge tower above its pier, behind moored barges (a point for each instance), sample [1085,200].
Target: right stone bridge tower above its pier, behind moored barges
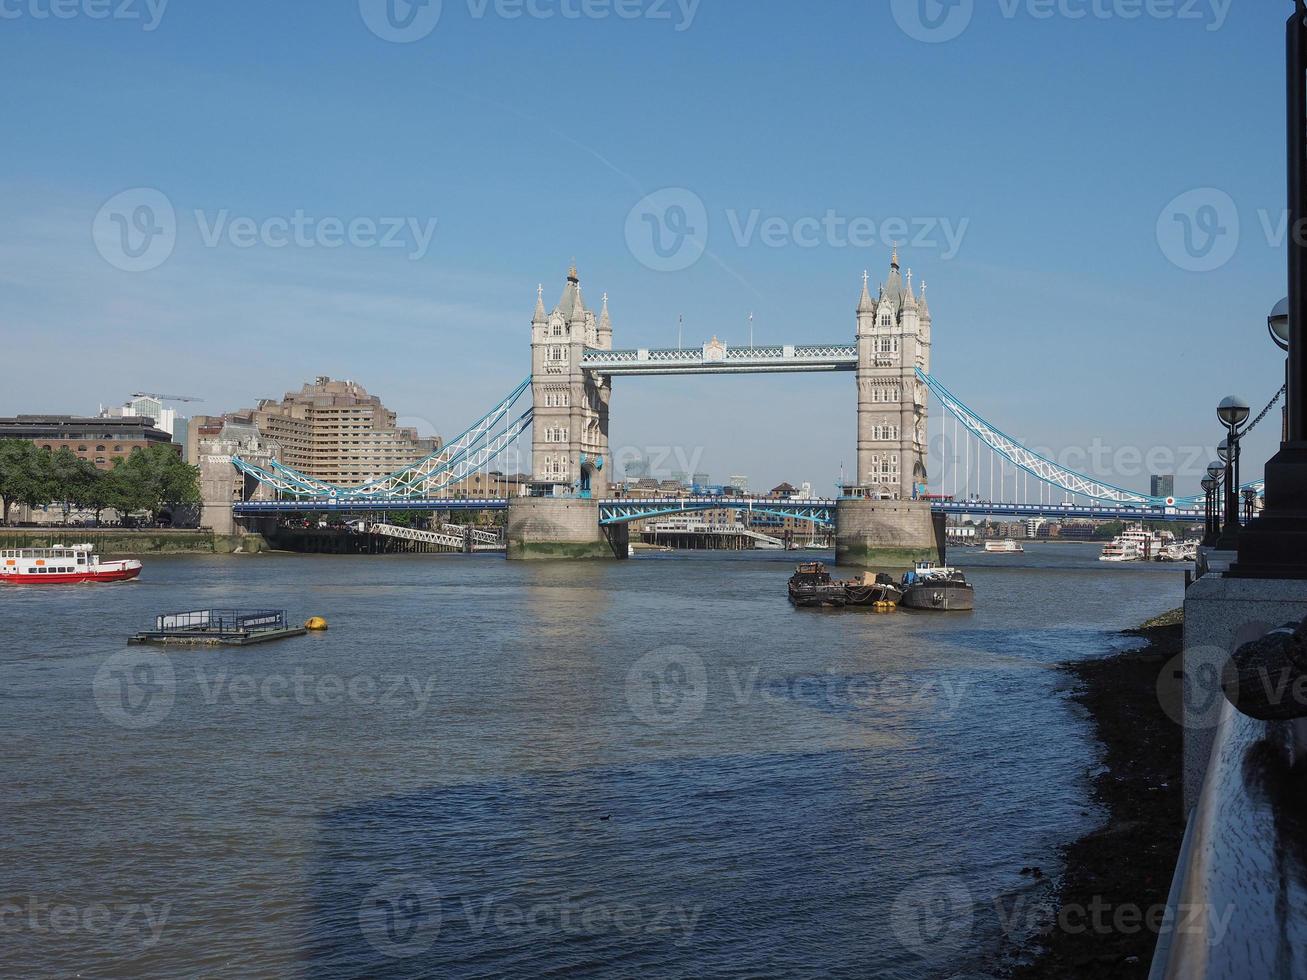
[893,342]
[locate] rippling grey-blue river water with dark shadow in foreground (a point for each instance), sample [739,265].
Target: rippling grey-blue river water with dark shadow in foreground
[487,769]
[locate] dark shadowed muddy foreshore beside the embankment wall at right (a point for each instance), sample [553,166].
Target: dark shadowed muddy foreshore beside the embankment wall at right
[1125,868]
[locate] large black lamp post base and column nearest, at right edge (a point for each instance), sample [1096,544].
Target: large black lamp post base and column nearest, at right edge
[1275,546]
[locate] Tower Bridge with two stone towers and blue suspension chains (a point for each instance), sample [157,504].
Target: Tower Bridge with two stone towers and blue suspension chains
[884,518]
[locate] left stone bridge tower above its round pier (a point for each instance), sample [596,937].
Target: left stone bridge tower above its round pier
[571,424]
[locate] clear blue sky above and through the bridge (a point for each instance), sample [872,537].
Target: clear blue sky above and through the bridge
[1034,163]
